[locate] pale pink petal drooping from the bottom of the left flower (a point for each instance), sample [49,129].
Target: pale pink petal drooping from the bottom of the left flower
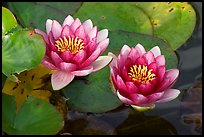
[60,79]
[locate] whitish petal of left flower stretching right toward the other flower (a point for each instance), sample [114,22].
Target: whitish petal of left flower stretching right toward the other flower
[101,62]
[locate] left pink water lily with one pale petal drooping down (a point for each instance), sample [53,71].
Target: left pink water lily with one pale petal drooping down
[73,49]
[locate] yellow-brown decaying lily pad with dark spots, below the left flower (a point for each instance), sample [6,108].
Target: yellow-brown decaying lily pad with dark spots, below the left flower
[32,83]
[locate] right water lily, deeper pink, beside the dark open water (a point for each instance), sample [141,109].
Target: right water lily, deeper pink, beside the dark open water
[140,78]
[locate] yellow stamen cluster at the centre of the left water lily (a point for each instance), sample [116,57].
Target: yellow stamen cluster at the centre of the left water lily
[73,45]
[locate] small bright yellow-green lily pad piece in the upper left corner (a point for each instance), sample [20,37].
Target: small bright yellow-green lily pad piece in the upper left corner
[8,21]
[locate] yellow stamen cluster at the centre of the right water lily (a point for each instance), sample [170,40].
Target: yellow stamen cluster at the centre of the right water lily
[141,74]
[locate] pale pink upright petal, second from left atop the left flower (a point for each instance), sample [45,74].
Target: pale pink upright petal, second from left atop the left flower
[56,29]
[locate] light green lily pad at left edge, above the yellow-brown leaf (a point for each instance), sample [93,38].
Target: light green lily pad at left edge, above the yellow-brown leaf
[21,50]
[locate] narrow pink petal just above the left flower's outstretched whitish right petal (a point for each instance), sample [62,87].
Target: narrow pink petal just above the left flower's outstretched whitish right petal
[92,58]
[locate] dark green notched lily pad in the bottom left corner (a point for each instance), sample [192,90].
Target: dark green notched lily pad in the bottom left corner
[35,117]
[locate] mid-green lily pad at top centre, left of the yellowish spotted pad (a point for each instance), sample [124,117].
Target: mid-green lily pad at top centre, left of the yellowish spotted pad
[115,16]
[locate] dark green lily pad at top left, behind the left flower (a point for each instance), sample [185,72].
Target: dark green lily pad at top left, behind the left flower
[35,14]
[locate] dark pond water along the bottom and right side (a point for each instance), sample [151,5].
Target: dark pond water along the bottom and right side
[182,116]
